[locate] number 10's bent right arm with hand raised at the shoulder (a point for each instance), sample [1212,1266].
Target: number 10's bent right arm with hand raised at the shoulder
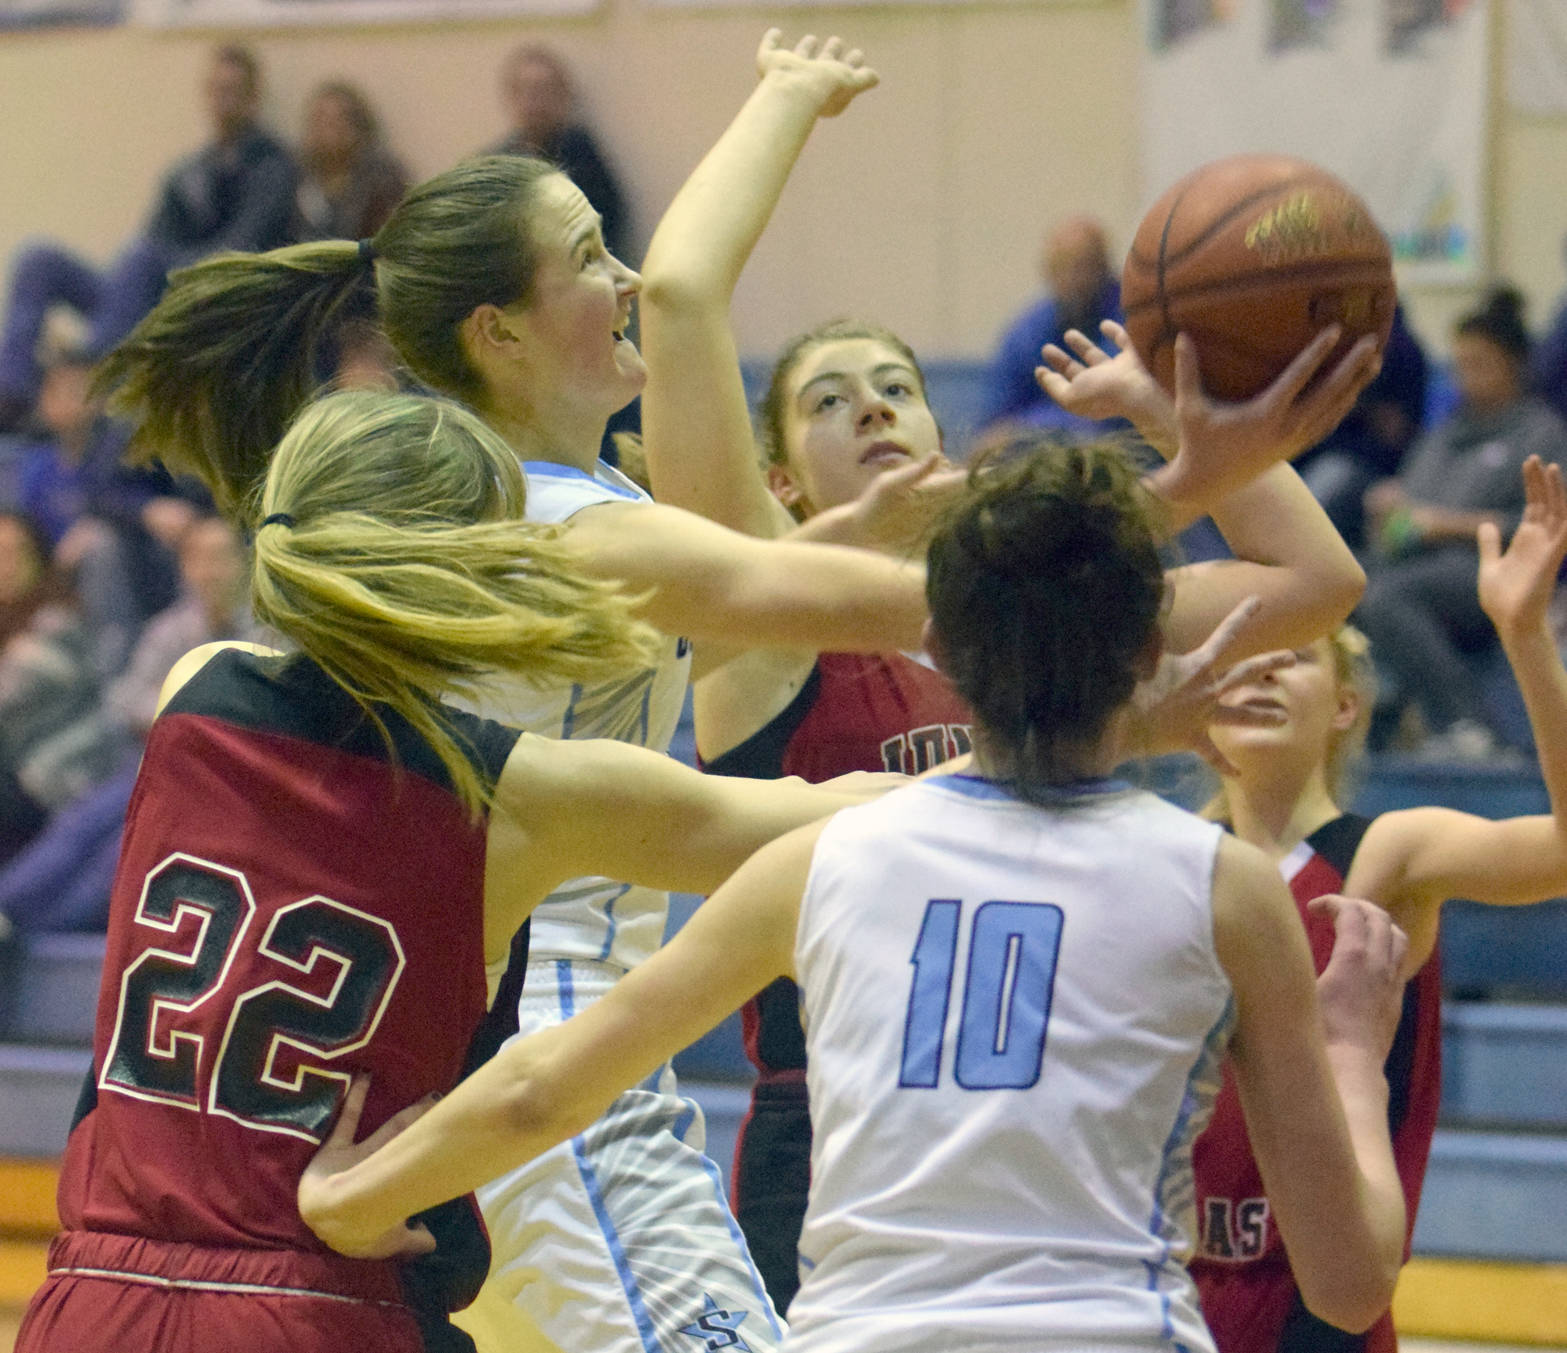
[1309,1070]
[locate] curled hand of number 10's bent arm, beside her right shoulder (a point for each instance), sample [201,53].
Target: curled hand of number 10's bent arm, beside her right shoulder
[1361,993]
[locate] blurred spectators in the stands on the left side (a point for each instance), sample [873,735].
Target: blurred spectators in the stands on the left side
[110,573]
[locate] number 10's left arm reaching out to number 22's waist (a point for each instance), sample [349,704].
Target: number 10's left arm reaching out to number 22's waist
[551,1086]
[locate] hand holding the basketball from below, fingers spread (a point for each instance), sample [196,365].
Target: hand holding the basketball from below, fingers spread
[1226,446]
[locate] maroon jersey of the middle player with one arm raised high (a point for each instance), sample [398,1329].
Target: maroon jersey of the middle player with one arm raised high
[856,713]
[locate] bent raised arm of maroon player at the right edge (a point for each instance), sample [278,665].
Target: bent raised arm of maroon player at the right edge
[1416,860]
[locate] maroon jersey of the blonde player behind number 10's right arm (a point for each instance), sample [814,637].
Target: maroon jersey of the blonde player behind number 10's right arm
[1250,1297]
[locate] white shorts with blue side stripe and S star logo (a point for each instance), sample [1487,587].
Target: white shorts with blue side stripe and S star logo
[621,1241]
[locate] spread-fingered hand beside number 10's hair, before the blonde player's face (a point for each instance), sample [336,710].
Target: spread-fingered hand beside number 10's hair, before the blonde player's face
[1185,698]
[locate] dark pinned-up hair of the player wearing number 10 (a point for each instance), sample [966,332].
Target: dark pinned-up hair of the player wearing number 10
[1046,590]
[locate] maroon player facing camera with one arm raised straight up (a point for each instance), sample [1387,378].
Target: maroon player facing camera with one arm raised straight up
[853,452]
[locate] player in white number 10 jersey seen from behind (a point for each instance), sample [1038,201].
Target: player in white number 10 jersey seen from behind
[1019,985]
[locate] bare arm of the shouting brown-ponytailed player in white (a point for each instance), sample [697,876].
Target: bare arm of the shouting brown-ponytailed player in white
[711,584]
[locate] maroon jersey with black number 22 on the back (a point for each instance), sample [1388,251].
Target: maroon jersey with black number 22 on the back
[295,905]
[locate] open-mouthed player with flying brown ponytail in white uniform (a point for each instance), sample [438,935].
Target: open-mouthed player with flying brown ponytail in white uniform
[494,286]
